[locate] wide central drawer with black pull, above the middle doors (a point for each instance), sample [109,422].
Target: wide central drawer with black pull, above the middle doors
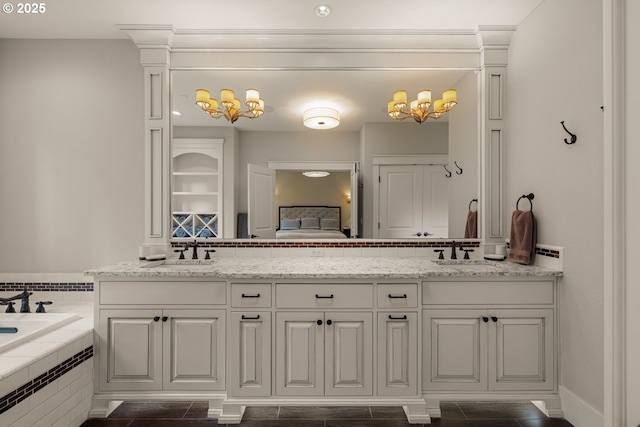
[324,295]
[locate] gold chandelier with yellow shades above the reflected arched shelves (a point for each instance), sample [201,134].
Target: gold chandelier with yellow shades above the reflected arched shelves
[229,106]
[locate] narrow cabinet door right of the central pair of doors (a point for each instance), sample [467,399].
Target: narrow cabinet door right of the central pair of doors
[397,354]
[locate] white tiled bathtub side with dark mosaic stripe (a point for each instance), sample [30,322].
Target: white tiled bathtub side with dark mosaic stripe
[48,381]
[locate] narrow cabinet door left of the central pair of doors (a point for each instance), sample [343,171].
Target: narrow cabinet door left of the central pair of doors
[250,360]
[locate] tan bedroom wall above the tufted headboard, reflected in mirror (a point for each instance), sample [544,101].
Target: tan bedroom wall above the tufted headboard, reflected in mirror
[294,189]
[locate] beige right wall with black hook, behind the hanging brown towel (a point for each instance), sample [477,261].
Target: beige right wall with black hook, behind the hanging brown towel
[552,77]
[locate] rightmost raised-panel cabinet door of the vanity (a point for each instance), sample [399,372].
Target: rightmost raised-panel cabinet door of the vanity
[521,344]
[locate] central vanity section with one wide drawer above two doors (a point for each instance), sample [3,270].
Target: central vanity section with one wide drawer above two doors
[324,353]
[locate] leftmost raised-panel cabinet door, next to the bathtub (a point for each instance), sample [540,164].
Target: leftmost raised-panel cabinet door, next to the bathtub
[132,357]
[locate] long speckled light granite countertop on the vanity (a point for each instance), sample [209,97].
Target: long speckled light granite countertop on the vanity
[321,268]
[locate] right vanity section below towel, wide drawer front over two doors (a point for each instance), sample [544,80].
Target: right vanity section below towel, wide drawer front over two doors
[489,336]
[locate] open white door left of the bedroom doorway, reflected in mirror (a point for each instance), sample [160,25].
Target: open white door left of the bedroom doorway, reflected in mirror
[261,205]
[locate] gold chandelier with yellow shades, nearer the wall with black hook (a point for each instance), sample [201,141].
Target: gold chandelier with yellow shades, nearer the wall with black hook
[419,108]
